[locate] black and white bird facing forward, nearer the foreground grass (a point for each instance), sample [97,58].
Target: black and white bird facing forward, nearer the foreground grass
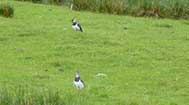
[79,84]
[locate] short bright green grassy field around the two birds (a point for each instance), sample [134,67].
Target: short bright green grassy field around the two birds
[146,60]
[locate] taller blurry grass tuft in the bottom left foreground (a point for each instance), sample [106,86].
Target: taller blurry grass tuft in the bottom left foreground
[21,95]
